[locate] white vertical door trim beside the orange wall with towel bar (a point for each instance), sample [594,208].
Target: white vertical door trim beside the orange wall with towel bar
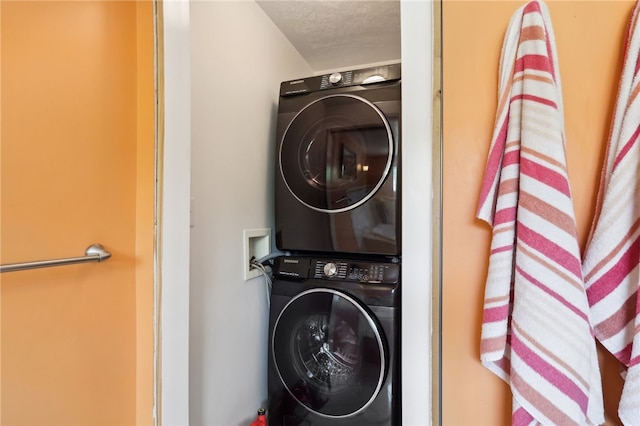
[173,282]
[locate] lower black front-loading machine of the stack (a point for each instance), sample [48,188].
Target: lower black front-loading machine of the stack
[334,340]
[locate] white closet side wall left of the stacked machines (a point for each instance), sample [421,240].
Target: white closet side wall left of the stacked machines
[238,59]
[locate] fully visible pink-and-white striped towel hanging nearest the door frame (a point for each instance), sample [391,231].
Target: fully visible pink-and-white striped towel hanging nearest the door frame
[536,332]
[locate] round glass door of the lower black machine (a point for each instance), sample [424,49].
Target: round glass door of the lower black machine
[329,352]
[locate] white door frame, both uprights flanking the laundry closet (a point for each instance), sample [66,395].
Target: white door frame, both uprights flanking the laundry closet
[420,215]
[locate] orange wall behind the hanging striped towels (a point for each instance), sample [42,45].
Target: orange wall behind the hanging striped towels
[589,38]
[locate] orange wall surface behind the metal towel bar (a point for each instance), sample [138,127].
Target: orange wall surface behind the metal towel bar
[75,118]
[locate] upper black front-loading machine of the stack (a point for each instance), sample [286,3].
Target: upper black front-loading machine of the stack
[337,184]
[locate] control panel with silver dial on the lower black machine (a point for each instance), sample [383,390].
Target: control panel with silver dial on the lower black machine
[337,270]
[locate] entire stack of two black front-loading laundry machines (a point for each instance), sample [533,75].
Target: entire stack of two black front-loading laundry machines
[334,324]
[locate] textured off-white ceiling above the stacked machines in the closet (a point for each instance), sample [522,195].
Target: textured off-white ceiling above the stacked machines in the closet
[337,34]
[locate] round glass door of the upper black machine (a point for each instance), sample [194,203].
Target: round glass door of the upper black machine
[336,153]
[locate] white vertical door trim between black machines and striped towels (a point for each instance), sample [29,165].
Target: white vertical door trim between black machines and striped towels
[417,215]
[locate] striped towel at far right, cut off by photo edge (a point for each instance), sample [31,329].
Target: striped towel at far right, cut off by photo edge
[612,257]
